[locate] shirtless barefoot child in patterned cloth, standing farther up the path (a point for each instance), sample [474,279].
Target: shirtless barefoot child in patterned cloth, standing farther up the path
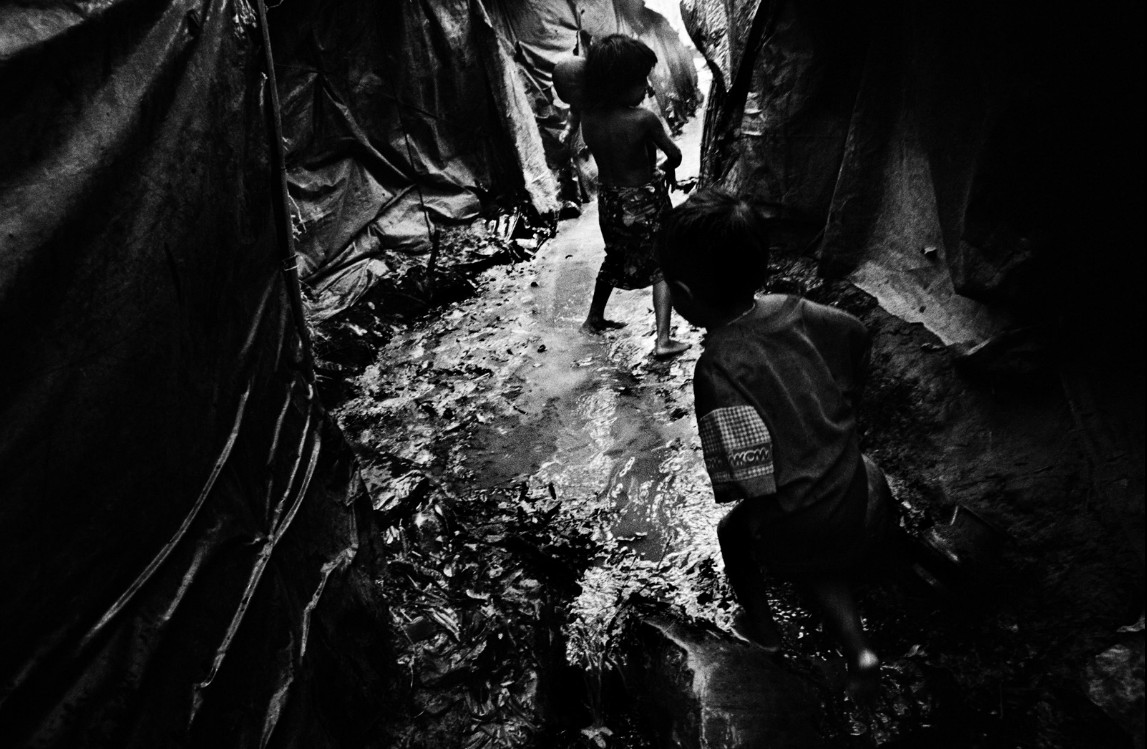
[634,196]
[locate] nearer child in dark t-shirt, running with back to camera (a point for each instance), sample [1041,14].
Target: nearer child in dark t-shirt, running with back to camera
[777,389]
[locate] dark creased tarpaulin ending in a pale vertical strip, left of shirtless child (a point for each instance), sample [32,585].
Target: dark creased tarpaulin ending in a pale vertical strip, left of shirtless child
[395,113]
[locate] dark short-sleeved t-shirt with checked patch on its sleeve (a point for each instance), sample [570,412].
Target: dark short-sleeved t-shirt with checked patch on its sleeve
[776,395]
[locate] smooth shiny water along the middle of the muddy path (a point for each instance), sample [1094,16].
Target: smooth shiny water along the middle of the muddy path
[604,423]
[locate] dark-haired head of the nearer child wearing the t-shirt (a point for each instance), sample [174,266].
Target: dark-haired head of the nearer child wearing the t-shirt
[717,244]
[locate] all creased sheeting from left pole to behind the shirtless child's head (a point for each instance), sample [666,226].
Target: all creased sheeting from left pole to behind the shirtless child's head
[403,115]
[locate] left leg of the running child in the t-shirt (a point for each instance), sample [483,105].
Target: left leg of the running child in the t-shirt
[738,536]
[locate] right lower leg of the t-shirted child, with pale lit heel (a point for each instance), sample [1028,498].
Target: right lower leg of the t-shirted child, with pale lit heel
[832,596]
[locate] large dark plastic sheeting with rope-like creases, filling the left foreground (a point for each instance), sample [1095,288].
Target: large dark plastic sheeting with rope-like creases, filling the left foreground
[180,534]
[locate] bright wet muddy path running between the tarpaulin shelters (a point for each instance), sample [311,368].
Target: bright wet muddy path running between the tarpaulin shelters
[505,389]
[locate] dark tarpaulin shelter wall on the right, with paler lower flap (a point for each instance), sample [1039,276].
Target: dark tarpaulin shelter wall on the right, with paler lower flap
[956,158]
